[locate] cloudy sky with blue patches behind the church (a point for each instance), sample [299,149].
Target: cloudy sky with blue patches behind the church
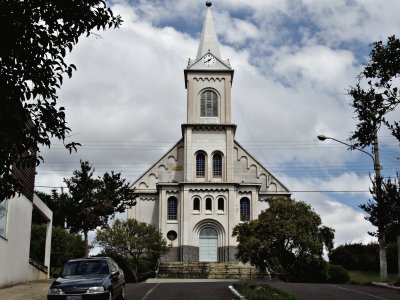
[294,60]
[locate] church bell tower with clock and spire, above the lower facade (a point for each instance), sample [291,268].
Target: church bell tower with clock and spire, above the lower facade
[209,132]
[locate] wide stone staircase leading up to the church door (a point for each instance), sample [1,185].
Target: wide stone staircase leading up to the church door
[208,270]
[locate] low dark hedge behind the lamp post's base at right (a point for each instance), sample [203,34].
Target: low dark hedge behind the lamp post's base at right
[357,256]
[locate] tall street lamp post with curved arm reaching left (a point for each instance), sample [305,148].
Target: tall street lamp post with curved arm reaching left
[377,169]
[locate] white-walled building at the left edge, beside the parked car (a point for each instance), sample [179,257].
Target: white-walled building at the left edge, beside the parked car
[15,237]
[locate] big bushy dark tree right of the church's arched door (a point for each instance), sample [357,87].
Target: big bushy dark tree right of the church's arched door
[287,238]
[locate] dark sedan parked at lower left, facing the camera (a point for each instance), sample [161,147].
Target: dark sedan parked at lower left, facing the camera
[89,278]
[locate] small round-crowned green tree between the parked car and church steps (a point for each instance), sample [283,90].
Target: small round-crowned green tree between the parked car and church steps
[132,240]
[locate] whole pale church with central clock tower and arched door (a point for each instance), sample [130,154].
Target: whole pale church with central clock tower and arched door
[207,183]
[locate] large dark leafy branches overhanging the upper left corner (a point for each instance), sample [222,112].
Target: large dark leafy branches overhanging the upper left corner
[32,68]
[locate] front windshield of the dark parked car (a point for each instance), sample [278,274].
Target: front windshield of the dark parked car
[85,267]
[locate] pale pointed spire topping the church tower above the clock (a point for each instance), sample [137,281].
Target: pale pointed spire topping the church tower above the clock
[209,40]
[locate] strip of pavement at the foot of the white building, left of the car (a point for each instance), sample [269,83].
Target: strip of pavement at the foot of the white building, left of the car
[33,290]
